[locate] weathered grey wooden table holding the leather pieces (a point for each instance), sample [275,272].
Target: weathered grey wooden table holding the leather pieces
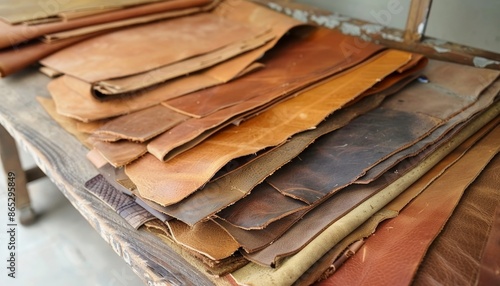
[63,159]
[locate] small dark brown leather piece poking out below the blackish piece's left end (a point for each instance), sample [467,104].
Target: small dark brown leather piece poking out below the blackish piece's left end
[252,211]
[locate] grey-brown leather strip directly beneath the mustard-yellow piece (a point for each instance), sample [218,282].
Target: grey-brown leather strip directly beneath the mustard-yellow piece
[229,189]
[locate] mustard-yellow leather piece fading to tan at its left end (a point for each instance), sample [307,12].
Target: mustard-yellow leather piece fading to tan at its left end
[172,181]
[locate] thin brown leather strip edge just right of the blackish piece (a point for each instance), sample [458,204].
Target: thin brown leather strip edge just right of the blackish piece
[484,101]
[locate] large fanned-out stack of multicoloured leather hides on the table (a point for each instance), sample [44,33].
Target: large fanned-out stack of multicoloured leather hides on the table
[269,151]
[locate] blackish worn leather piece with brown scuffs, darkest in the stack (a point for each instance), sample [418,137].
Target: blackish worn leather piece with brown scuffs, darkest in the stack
[322,168]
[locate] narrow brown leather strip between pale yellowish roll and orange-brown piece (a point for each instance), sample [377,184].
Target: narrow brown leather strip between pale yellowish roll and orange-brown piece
[318,272]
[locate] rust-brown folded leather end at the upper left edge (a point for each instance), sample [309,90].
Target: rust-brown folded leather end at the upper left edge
[17,58]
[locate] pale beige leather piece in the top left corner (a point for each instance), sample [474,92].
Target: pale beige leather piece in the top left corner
[14,11]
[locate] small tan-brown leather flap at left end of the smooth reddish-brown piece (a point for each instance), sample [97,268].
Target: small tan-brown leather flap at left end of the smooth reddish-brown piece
[142,125]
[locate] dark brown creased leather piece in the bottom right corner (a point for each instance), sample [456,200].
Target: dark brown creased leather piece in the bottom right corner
[456,255]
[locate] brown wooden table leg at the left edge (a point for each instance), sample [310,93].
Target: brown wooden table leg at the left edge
[12,169]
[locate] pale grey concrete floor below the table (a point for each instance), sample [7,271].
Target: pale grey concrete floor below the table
[61,248]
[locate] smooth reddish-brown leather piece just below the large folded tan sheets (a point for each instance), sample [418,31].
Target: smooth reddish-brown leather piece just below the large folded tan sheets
[321,56]
